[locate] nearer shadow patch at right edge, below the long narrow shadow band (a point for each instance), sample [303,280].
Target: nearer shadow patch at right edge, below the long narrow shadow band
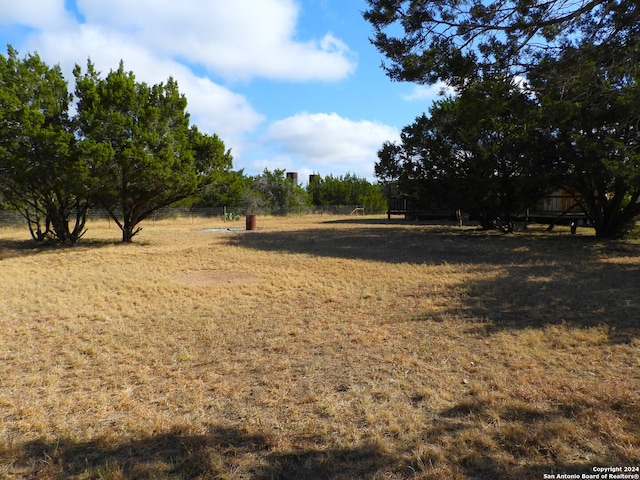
[585,294]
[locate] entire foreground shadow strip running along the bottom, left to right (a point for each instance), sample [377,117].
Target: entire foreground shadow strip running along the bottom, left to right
[524,452]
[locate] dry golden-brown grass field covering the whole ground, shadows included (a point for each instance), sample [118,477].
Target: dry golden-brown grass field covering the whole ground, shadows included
[318,348]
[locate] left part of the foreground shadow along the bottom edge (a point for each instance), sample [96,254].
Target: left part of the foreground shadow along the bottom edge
[221,453]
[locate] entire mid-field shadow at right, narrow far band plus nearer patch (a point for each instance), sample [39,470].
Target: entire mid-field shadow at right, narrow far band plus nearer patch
[519,281]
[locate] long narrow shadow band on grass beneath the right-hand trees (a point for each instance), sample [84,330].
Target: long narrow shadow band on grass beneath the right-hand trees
[429,244]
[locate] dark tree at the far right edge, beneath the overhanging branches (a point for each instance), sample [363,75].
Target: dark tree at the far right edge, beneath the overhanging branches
[593,113]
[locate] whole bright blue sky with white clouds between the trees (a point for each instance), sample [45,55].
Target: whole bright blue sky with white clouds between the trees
[288,84]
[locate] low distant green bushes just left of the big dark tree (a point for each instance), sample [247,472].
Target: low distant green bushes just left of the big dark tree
[347,190]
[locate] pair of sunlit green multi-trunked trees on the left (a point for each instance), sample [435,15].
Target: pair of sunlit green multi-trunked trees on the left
[129,148]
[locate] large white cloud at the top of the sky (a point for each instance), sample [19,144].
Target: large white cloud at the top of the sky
[237,40]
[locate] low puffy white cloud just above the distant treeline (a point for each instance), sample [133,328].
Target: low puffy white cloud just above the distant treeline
[331,142]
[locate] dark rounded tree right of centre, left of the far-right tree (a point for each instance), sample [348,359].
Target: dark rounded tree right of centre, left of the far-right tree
[474,153]
